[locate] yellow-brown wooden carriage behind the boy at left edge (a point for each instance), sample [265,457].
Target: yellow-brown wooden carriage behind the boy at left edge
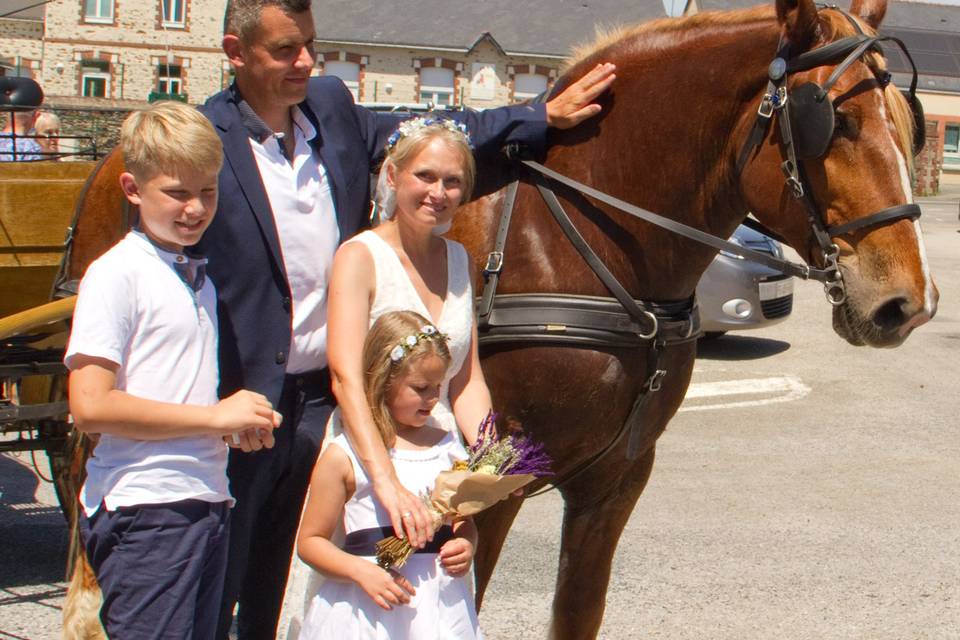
[40,204]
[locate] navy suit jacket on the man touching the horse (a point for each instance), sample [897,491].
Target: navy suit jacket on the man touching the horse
[242,244]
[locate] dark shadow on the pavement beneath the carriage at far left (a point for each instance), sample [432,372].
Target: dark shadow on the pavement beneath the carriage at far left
[34,535]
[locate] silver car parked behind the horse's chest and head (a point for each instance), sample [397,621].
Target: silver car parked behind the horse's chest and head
[736,294]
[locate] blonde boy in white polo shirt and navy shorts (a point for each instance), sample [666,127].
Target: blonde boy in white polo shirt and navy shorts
[143,363]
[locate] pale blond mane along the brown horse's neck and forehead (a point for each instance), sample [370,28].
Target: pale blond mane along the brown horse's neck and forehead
[833,23]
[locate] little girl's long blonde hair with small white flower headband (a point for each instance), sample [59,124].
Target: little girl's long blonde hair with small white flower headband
[382,367]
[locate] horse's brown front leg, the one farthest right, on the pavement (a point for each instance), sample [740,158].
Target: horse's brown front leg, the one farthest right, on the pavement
[593,520]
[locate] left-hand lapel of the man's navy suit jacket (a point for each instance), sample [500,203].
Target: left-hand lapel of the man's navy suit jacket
[236,150]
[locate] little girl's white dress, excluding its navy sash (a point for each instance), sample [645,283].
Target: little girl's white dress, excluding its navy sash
[443,607]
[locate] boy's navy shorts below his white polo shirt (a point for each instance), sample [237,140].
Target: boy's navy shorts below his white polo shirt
[160,567]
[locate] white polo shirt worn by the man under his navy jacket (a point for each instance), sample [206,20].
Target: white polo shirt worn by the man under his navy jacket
[303,209]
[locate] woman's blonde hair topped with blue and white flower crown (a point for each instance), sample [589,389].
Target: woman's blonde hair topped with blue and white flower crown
[412,142]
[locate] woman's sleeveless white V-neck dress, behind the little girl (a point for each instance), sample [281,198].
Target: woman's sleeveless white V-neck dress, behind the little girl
[395,292]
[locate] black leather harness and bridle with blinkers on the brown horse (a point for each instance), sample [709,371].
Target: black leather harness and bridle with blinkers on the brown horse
[621,321]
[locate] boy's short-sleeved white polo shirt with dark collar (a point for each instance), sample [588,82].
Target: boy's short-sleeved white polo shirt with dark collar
[134,310]
